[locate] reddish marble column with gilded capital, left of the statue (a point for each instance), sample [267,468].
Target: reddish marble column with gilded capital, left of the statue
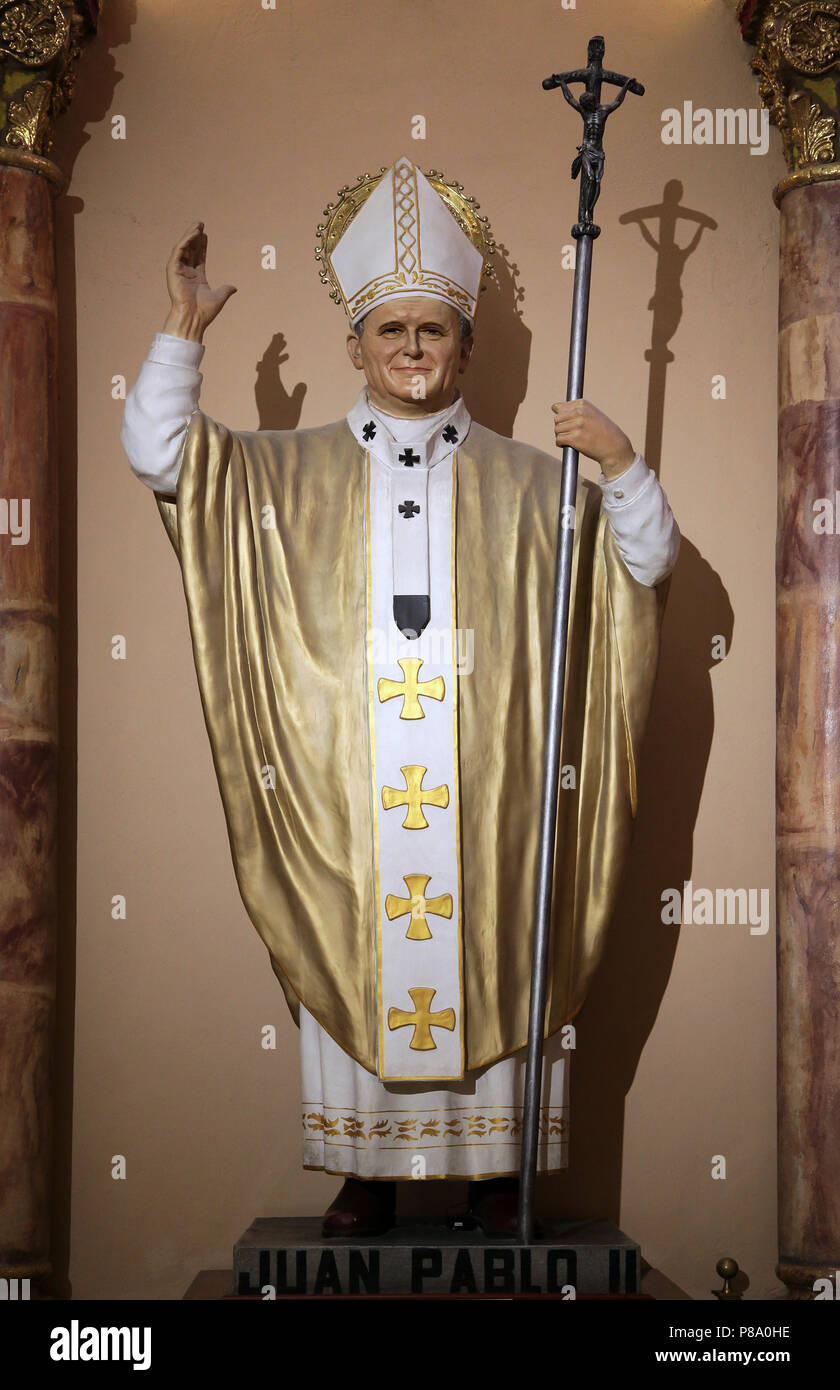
[40,44]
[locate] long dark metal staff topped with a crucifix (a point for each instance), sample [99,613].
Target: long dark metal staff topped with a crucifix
[589,163]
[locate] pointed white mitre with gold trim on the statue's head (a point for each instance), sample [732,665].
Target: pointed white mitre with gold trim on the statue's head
[405,241]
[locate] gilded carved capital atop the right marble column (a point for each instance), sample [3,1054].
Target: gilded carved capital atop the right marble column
[798,66]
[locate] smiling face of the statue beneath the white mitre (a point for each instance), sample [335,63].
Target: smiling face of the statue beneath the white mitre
[411,354]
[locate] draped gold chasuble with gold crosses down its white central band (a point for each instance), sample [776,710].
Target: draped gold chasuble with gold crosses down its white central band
[272,534]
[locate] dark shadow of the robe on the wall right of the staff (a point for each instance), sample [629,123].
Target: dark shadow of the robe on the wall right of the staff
[627,995]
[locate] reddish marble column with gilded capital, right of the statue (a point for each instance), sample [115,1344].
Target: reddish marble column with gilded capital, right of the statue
[798,63]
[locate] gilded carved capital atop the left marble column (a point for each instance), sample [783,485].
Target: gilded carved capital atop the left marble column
[40,48]
